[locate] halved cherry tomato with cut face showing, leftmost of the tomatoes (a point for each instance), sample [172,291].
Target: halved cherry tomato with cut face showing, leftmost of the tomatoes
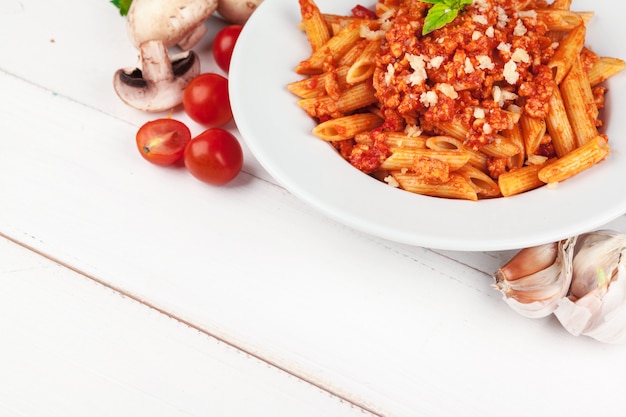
[163,141]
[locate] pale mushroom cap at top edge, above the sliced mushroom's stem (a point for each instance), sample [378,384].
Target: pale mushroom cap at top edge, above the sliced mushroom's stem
[169,21]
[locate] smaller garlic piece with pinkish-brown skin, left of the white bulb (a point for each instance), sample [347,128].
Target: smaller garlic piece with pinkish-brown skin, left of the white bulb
[536,278]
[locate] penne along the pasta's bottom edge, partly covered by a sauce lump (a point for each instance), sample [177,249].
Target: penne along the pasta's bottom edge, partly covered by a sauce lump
[457,187]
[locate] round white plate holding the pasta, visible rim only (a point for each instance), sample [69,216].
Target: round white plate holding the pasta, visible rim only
[278,133]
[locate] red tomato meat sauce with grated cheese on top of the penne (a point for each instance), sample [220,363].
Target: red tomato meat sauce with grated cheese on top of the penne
[481,71]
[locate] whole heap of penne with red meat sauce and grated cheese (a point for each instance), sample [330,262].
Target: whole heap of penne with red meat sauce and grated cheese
[502,100]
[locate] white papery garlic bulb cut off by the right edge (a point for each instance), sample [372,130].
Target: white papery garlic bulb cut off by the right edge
[596,305]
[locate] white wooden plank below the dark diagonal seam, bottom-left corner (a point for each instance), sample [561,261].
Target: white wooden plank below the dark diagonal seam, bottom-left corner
[72,347]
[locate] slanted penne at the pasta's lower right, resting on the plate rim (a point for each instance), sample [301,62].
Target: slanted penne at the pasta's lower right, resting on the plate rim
[578,160]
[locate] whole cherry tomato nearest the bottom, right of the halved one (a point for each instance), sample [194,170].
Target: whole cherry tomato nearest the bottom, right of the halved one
[214,156]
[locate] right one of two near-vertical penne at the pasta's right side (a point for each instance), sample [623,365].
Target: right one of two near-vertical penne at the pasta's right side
[581,110]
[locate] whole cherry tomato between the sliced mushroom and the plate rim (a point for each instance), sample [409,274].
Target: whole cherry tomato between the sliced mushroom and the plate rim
[206,100]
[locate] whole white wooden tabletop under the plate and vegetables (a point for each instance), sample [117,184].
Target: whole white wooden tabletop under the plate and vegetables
[131,290]
